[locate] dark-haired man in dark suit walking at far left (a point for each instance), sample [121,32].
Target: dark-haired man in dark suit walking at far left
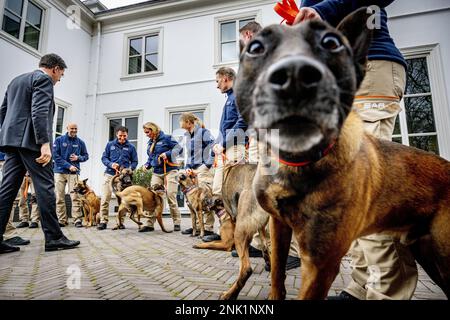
[26,122]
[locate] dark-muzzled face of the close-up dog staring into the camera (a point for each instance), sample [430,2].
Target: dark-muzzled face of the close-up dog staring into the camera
[302,79]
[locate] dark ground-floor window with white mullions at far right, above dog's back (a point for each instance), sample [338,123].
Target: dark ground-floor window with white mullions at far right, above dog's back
[419,129]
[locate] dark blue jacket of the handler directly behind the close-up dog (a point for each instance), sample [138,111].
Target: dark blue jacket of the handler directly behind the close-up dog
[382,46]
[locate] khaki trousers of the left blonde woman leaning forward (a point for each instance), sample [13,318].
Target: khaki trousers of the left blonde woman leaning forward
[171,193]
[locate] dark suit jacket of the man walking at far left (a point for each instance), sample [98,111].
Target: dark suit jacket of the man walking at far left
[26,114]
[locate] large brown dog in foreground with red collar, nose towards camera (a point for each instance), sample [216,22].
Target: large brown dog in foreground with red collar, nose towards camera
[334,183]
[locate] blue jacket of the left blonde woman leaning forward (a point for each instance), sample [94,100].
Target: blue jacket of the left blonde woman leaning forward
[164,144]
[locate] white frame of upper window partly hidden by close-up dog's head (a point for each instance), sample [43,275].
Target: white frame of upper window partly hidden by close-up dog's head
[217,34]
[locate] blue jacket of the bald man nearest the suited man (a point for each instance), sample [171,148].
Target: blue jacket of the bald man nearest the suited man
[63,147]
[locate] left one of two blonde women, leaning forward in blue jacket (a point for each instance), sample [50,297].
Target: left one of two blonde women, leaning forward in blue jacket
[162,151]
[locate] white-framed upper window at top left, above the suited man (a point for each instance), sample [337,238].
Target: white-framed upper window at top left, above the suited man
[19,42]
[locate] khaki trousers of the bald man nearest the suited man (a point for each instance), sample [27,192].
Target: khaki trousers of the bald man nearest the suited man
[61,180]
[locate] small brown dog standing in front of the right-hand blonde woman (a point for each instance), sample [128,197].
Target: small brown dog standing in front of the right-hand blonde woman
[197,197]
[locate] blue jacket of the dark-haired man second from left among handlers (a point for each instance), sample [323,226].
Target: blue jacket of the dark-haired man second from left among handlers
[123,154]
